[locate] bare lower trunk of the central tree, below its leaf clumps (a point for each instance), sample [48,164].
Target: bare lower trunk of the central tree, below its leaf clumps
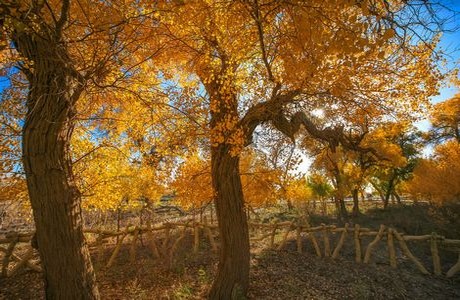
[232,279]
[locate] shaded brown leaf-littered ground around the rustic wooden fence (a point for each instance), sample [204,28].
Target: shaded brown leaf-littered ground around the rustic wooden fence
[283,274]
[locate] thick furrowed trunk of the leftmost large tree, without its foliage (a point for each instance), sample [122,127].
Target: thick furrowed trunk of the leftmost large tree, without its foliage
[53,91]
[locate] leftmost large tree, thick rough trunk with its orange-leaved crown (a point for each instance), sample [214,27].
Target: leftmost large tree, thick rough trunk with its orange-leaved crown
[64,49]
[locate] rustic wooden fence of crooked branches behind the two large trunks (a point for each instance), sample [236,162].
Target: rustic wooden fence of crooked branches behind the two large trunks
[163,241]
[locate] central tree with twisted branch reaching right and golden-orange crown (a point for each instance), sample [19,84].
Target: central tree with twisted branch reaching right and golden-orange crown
[269,62]
